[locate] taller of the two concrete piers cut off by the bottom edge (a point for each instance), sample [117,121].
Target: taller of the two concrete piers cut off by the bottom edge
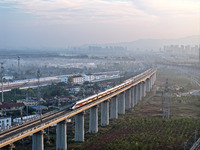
[61,135]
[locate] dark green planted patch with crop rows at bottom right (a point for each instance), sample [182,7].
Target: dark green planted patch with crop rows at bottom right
[152,133]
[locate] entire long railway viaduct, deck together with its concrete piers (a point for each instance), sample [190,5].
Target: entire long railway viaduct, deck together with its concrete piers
[120,98]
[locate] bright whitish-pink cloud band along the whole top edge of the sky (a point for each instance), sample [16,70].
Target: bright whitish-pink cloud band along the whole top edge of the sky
[110,11]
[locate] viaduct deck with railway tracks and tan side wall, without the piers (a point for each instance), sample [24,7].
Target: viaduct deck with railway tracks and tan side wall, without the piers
[29,127]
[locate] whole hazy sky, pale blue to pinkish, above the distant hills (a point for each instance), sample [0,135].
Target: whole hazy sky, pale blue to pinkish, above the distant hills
[63,23]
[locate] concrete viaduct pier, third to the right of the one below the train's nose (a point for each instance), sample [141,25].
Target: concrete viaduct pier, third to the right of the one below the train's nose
[114,108]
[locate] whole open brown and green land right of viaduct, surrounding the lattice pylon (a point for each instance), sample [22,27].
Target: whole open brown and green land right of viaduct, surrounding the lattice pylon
[143,128]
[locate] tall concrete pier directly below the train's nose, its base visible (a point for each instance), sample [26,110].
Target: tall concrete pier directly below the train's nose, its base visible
[79,127]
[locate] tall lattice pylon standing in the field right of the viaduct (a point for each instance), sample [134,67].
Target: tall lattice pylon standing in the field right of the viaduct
[166,102]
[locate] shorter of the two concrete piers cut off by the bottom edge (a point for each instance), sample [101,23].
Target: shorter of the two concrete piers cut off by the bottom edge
[38,141]
